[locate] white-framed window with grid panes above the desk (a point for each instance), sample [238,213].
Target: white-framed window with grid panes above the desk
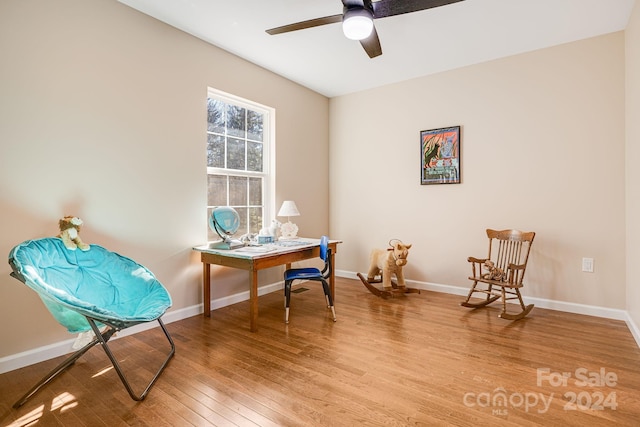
[239,171]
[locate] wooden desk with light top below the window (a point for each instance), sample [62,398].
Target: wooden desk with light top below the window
[253,262]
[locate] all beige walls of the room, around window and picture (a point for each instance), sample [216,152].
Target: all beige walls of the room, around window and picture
[102,116]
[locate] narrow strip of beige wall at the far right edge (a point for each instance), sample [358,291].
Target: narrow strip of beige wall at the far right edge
[632,159]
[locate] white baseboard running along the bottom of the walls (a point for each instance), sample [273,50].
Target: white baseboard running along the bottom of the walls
[40,354]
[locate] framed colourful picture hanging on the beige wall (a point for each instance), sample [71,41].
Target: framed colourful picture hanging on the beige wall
[440,156]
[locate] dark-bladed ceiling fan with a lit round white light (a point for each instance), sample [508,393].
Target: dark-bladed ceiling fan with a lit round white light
[357,19]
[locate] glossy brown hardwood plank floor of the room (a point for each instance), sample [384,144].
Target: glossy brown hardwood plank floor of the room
[419,360]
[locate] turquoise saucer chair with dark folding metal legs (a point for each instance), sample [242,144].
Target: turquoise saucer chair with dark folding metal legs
[94,290]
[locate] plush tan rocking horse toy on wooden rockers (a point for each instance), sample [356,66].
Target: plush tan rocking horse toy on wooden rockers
[384,264]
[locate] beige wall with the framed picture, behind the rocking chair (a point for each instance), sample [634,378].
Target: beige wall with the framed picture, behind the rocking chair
[542,150]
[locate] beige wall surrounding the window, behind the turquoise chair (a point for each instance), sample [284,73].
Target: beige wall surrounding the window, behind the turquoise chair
[102,115]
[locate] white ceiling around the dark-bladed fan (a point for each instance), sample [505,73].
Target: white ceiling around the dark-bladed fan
[413,45]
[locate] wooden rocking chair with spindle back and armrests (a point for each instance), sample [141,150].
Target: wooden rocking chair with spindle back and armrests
[510,251]
